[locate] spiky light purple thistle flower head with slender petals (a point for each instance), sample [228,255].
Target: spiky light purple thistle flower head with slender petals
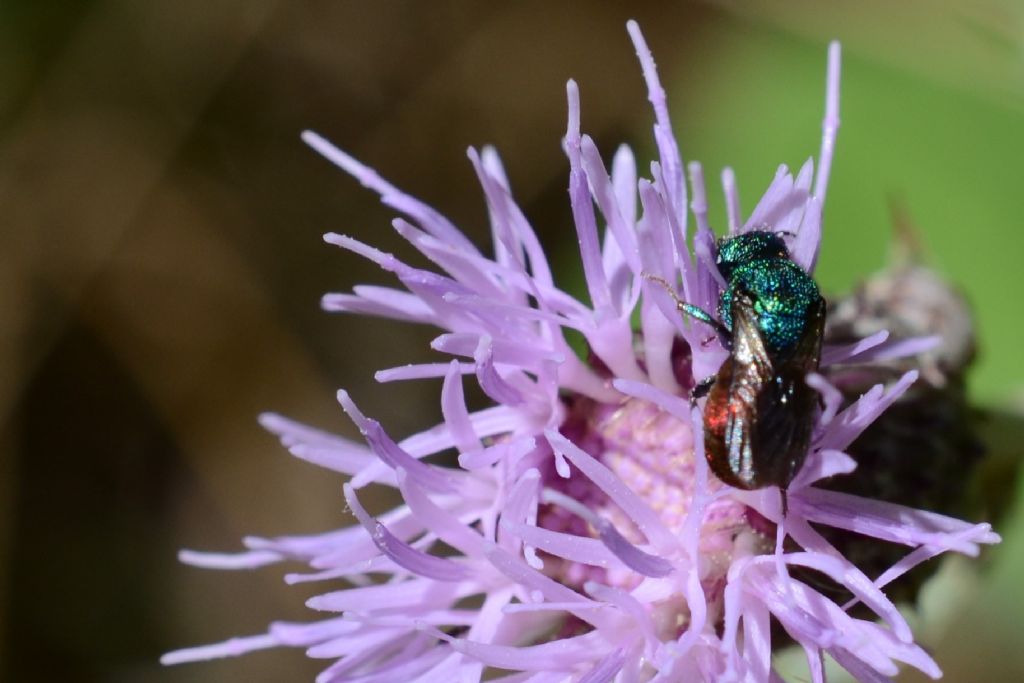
[588,540]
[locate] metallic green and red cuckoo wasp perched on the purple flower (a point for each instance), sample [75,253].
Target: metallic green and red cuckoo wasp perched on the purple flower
[760,411]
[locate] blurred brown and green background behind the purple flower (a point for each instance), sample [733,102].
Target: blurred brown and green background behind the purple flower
[161,263]
